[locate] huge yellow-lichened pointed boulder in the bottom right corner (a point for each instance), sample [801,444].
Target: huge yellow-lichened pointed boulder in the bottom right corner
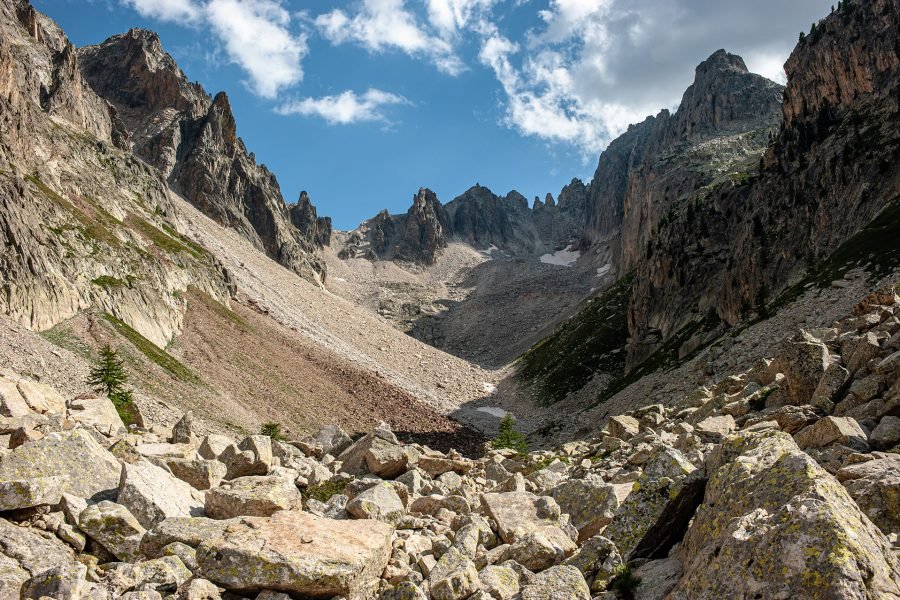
[775,522]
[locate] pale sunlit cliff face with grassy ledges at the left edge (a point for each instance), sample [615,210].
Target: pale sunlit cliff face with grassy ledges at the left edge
[83,223]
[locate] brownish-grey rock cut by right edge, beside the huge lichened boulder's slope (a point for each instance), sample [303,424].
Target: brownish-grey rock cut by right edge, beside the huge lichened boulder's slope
[875,487]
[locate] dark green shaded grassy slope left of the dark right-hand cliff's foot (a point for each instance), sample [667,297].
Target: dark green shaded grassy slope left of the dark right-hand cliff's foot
[593,340]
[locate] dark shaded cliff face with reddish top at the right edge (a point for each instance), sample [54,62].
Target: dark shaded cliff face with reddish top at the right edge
[832,167]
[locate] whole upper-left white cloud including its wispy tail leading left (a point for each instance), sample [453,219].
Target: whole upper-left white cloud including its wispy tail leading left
[255,34]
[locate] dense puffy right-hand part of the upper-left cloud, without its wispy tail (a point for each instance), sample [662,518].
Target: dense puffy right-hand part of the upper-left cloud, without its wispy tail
[257,37]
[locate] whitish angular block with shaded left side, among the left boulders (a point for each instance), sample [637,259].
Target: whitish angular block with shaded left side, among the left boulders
[152,494]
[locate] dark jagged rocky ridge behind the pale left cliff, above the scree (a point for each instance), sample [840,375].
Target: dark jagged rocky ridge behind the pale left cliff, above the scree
[192,139]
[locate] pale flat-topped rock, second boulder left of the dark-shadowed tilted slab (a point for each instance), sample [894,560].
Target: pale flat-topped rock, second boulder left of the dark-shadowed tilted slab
[517,513]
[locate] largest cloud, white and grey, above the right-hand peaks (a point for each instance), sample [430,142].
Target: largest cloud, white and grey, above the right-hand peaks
[595,66]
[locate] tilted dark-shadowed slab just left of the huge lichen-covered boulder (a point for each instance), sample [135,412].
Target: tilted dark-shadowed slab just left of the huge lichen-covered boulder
[652,506]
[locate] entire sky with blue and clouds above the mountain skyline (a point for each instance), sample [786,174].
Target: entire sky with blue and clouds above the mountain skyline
[361,103]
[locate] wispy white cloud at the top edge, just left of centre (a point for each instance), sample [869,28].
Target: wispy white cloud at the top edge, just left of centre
[381,25]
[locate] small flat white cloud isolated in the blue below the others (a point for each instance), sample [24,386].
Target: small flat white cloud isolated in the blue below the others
[346,107]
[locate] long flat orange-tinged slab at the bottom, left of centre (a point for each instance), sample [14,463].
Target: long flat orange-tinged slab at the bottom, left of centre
[298,553]
